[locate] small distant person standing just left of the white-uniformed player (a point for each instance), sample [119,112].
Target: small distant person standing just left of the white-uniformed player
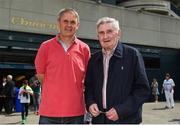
[155,90]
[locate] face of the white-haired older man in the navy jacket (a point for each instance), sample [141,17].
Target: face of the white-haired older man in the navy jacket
[108,36]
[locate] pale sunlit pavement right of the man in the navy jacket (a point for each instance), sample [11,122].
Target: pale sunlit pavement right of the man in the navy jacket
[156,113]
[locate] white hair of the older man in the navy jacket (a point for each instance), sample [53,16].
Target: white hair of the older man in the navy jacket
[104,20]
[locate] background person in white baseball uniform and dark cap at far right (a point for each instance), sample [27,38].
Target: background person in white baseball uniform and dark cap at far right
[168,87]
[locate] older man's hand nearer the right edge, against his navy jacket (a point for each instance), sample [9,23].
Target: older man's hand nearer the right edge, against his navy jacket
[112,114]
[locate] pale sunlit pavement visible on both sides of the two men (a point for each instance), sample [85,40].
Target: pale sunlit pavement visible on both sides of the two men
[153,113]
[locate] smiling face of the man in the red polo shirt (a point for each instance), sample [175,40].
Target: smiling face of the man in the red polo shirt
[68,24]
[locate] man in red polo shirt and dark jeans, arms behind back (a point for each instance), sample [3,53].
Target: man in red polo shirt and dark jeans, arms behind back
[61,65]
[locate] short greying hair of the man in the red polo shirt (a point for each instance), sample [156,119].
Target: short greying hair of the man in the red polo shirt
[62,11]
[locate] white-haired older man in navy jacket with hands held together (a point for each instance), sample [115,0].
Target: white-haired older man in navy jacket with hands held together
[116,84]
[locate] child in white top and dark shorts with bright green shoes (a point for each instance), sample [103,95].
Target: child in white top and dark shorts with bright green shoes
[24,96]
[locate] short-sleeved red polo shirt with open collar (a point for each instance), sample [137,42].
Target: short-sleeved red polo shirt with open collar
[62,91]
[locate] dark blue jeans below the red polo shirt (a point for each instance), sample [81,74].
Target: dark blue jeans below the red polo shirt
[61,120]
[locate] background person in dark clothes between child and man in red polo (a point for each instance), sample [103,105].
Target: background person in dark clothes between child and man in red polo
[36,87]
